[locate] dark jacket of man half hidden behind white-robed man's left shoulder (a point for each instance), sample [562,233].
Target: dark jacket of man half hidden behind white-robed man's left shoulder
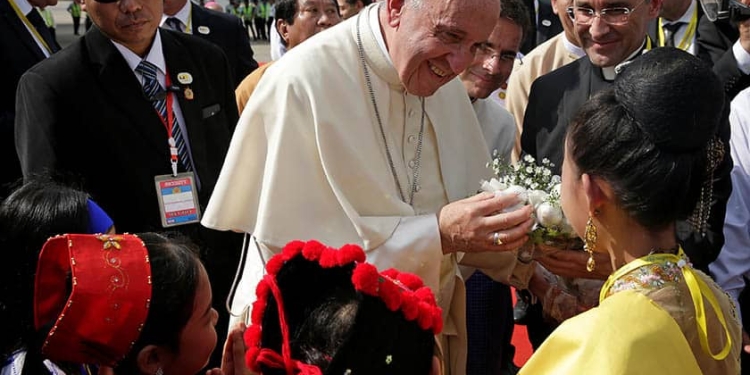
[227,32]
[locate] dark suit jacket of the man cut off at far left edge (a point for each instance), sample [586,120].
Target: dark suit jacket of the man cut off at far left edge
[18,53]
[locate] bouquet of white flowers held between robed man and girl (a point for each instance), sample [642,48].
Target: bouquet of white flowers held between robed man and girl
[537,186]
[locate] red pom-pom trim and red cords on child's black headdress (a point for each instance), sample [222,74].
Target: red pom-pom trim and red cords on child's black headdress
[399,291]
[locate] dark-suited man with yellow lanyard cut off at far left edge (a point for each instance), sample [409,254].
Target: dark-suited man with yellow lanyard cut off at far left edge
[24,41]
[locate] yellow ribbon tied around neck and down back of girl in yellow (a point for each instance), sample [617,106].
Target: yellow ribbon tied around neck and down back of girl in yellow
[697,287]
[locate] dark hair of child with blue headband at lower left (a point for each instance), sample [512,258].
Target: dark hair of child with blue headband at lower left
[37,210]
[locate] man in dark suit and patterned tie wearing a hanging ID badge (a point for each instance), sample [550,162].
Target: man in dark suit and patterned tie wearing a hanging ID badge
[144,117]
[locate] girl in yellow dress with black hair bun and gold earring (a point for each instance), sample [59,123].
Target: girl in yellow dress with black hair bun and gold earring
[638,157]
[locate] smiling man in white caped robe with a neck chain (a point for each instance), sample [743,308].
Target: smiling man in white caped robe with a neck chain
[388,166]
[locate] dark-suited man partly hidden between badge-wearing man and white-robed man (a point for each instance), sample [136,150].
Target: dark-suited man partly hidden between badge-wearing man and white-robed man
[224,30]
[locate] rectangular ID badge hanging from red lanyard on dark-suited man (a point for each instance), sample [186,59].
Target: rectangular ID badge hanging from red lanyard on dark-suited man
[178,199]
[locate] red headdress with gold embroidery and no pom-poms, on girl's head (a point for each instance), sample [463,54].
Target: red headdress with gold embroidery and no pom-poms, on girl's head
[100,317]
